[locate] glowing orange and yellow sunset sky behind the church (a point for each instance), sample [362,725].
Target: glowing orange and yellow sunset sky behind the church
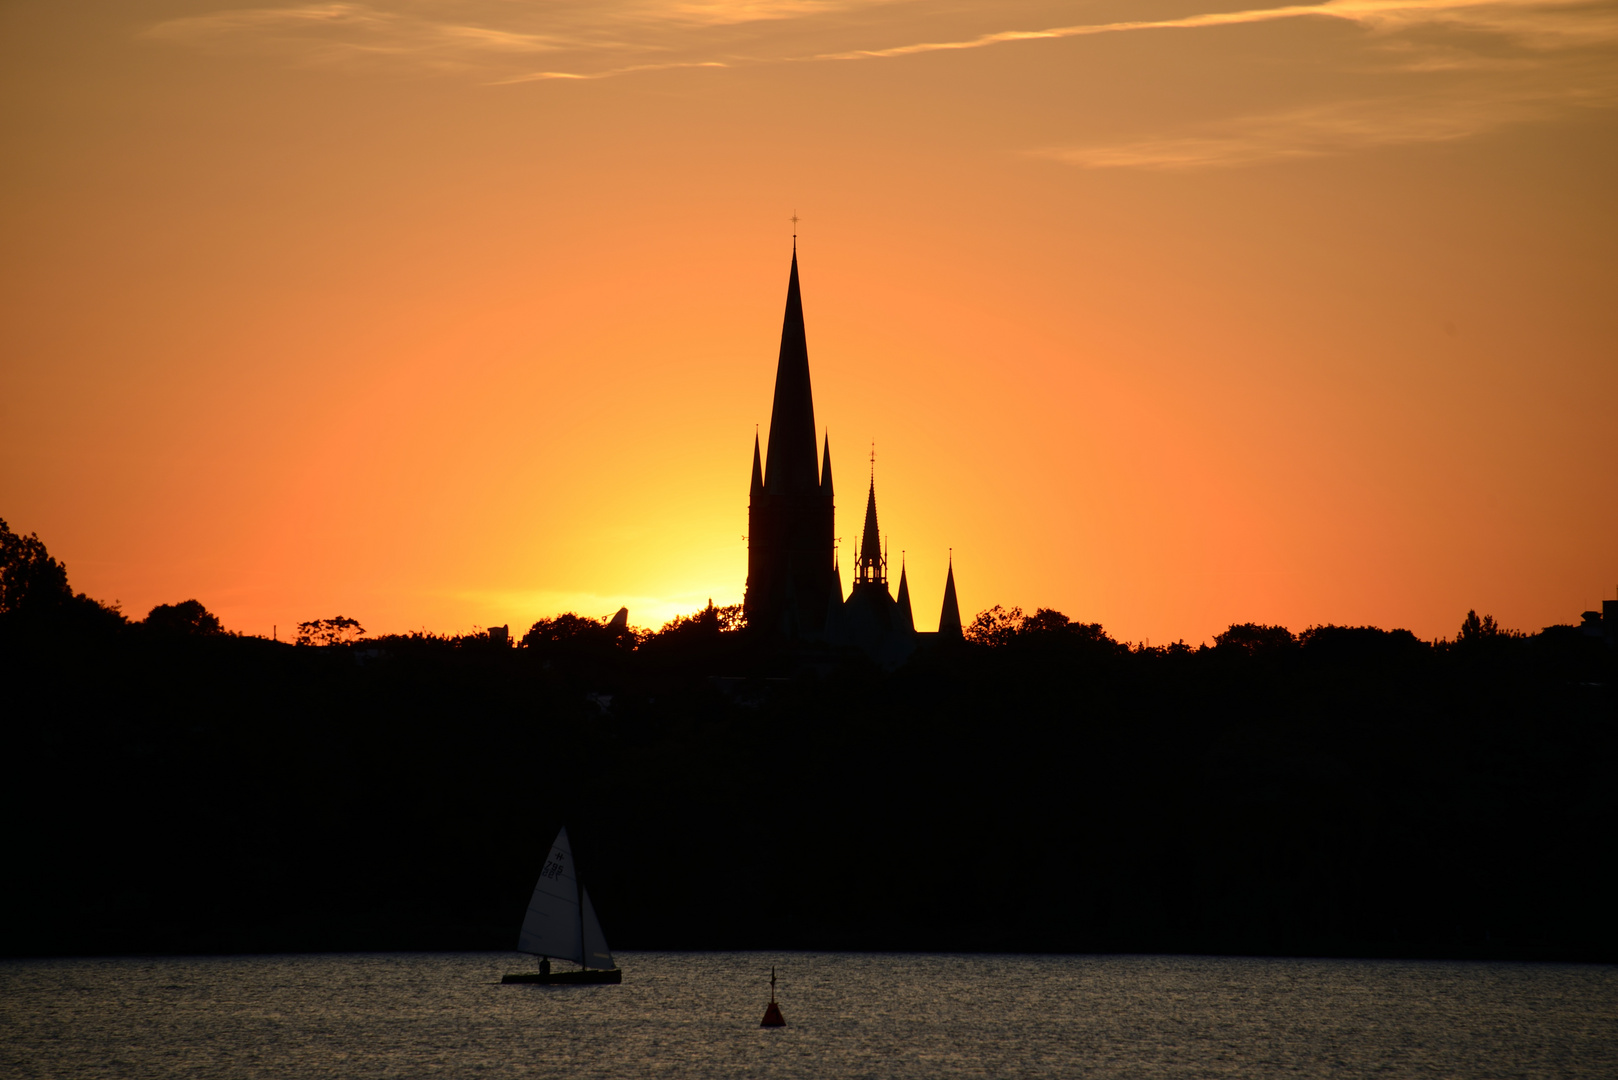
[1163,313]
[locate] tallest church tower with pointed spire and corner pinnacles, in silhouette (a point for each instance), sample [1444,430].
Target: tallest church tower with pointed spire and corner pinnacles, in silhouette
[790,511]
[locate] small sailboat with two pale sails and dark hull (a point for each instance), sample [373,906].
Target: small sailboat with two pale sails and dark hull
[562,925]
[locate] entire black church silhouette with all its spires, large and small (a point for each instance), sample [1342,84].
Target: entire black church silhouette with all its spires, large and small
[795,584]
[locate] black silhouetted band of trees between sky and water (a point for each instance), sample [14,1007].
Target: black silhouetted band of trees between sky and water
[1035,788]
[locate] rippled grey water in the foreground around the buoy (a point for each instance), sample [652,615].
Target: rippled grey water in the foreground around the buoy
[849,1016]
